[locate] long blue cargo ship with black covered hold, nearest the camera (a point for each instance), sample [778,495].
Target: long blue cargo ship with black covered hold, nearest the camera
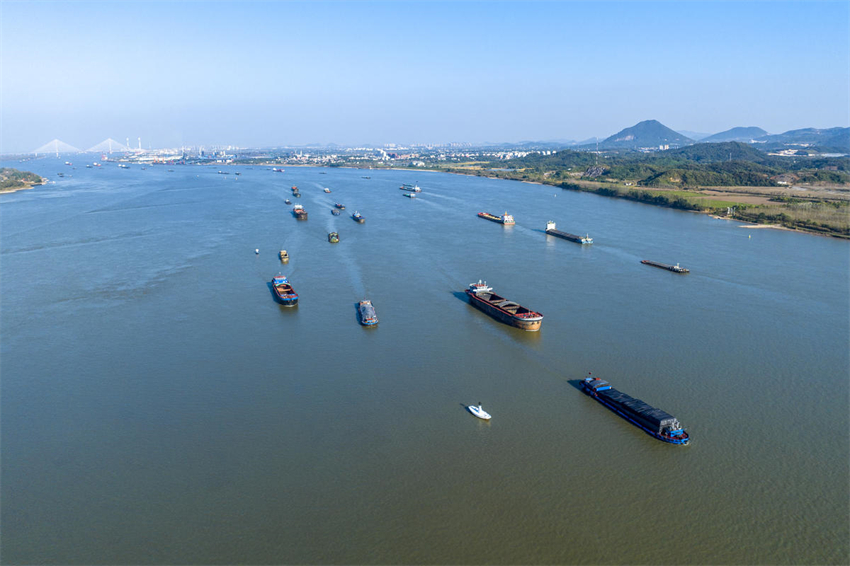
[655,422]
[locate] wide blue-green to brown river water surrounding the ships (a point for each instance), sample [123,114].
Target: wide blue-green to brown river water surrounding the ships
[158,407]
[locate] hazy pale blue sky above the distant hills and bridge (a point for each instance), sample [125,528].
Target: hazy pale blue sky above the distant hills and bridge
[283,73]
